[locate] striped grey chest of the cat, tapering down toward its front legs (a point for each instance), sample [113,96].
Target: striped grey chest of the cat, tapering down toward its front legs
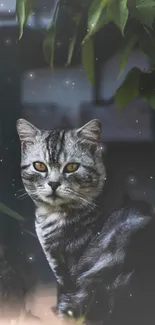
[63,243]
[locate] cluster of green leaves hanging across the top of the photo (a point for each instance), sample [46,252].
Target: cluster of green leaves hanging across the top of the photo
[134,18]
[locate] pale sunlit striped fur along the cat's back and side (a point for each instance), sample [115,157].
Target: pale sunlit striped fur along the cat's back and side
[108,249]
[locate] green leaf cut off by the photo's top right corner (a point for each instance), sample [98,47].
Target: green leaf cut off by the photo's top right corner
[144,11]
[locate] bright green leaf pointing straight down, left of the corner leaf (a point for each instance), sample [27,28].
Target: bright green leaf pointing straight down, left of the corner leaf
[118,11]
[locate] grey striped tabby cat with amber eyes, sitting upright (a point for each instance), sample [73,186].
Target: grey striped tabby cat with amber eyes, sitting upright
[64,174]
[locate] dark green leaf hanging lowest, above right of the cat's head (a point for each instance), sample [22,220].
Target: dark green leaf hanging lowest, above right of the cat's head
[129,88]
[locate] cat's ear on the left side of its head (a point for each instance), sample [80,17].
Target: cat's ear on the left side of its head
[26,130]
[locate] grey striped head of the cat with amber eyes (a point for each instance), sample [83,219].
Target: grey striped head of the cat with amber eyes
[62,167]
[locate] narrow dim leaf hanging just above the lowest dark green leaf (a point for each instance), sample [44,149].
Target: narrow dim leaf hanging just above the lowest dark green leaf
[129,44]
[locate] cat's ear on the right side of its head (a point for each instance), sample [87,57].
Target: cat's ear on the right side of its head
[91,131]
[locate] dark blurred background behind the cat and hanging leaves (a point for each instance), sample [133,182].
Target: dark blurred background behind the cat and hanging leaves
[64,98]
